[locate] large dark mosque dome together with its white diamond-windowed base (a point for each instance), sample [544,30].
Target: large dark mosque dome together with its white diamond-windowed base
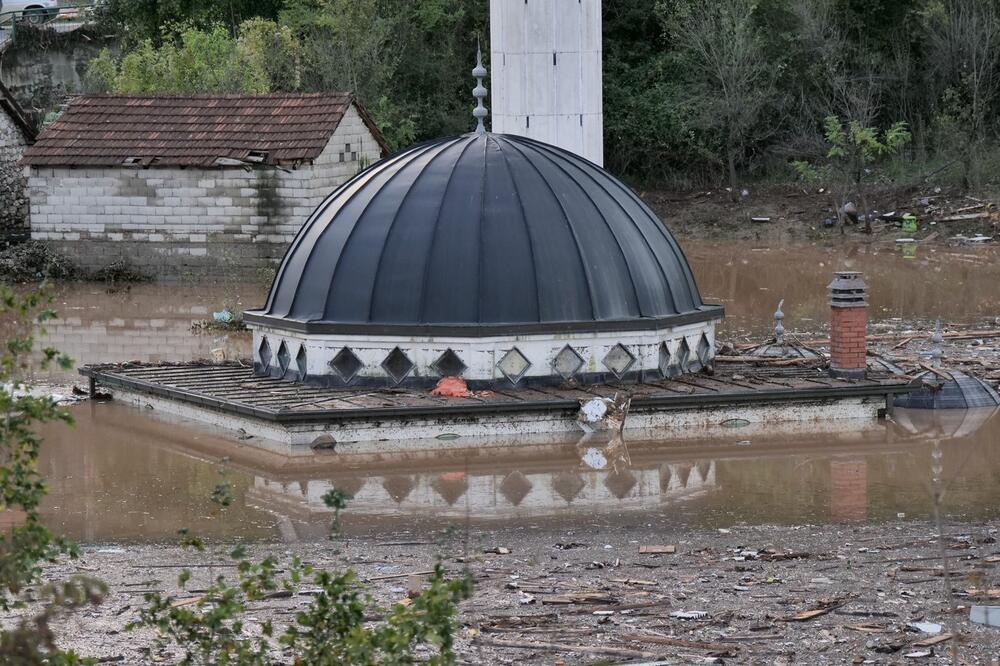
[491,257]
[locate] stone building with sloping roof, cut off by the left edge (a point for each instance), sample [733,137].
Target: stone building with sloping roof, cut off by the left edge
[16,133]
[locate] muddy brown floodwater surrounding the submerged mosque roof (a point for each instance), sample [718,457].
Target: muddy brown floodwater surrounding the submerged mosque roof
[125,475]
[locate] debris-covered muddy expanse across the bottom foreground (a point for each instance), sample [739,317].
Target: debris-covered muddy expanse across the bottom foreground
[753,595]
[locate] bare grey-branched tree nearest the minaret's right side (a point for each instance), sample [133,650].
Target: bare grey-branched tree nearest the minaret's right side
[732,84]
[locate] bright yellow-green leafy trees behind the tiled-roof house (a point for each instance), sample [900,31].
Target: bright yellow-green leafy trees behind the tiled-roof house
[261,58]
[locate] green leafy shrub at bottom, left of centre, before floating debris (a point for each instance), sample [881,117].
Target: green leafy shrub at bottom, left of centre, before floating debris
[336,628]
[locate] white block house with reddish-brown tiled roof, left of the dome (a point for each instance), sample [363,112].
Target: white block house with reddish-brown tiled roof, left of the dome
[204,184]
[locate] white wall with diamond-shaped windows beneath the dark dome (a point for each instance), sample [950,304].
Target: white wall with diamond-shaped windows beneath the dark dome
[484,362]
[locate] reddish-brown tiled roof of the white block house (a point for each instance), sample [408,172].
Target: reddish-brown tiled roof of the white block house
[194,130]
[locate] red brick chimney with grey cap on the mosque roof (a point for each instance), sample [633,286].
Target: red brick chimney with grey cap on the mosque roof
[848,326]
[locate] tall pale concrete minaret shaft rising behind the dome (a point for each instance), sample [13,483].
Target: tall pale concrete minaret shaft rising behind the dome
[546,62]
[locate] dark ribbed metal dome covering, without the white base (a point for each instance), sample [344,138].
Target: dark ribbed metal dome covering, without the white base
[482,234]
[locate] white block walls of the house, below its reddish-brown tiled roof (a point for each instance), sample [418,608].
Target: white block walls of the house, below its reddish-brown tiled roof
[170,222]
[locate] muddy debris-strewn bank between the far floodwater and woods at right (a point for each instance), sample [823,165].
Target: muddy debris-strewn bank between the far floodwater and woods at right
[797,213]
